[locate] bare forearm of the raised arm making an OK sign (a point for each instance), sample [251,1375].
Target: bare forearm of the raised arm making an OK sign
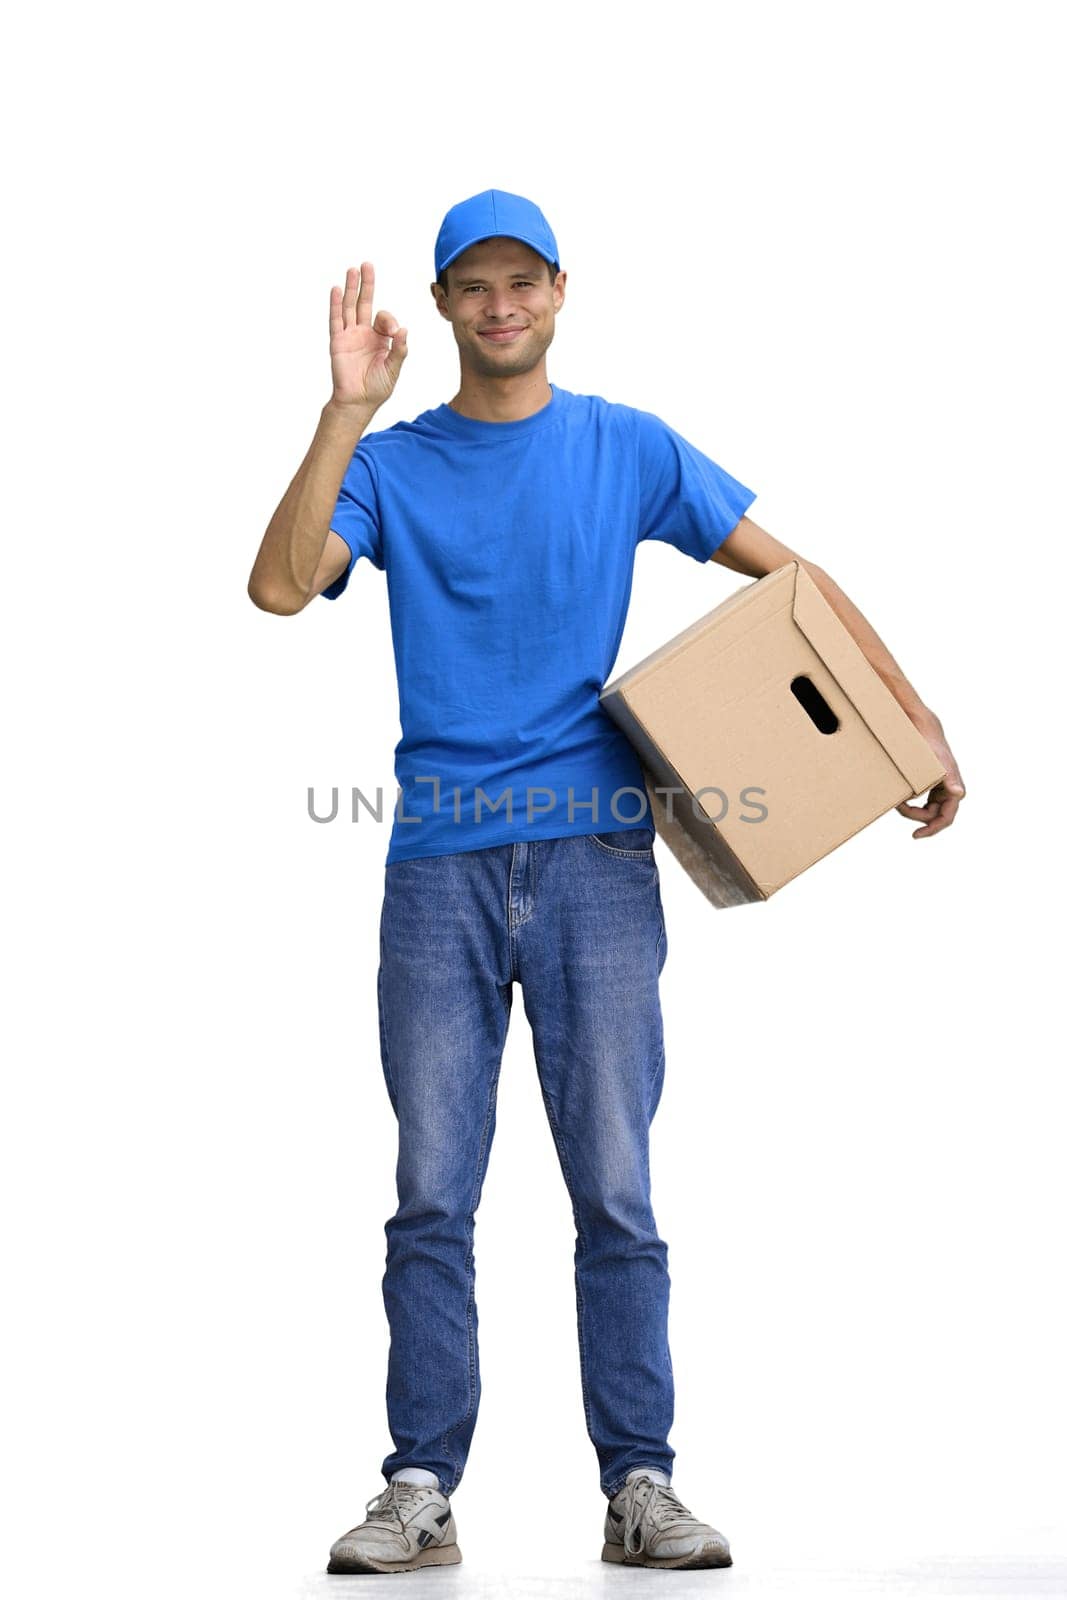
[297,535]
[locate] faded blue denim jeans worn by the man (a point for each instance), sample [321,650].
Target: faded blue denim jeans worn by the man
[578,924]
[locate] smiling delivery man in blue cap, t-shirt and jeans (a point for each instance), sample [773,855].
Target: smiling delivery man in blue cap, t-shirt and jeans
[522,846]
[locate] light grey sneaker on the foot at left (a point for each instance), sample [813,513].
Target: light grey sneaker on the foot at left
[409,1526]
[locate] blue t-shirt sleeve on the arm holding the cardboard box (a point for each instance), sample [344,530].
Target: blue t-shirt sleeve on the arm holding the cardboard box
[685,498]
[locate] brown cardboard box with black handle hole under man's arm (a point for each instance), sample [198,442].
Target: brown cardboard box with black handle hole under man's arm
[769,706]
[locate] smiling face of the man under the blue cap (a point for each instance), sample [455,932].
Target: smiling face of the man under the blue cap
[502,287]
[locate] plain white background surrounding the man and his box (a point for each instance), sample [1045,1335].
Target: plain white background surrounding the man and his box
[818,241]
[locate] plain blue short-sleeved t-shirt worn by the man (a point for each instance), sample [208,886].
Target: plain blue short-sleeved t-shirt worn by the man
[508,551]
